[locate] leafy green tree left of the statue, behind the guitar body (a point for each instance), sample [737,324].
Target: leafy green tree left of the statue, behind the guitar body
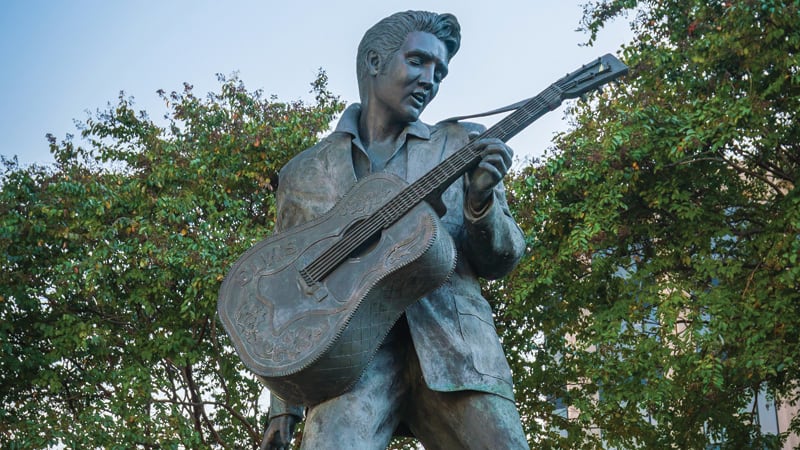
[111,261]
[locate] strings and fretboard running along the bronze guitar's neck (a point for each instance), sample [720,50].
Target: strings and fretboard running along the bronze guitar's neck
[416,192]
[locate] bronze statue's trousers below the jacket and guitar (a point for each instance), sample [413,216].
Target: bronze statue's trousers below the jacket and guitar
[392,395]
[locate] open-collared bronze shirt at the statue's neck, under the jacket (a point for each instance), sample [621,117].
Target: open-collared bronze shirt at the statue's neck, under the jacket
[397,162]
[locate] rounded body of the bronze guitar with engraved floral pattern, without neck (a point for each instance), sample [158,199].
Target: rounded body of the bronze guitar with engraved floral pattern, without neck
[311,342]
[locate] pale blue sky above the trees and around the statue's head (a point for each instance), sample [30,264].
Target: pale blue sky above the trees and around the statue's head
[61,59]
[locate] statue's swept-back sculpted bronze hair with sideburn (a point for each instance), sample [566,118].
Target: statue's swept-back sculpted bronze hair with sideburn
[388,35]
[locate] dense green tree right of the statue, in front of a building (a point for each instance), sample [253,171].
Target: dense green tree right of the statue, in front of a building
[660,294]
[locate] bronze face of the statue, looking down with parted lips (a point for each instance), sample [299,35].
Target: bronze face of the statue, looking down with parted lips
[409,80]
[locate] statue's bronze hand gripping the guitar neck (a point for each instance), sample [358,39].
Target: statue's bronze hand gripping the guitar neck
[496,159]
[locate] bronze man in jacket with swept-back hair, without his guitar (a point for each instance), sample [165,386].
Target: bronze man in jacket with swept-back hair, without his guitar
[441,374]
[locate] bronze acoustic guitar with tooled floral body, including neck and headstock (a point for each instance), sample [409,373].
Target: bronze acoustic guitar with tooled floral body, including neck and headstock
[307,308]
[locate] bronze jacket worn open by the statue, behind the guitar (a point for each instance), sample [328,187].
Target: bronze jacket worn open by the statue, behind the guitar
[452,328]
